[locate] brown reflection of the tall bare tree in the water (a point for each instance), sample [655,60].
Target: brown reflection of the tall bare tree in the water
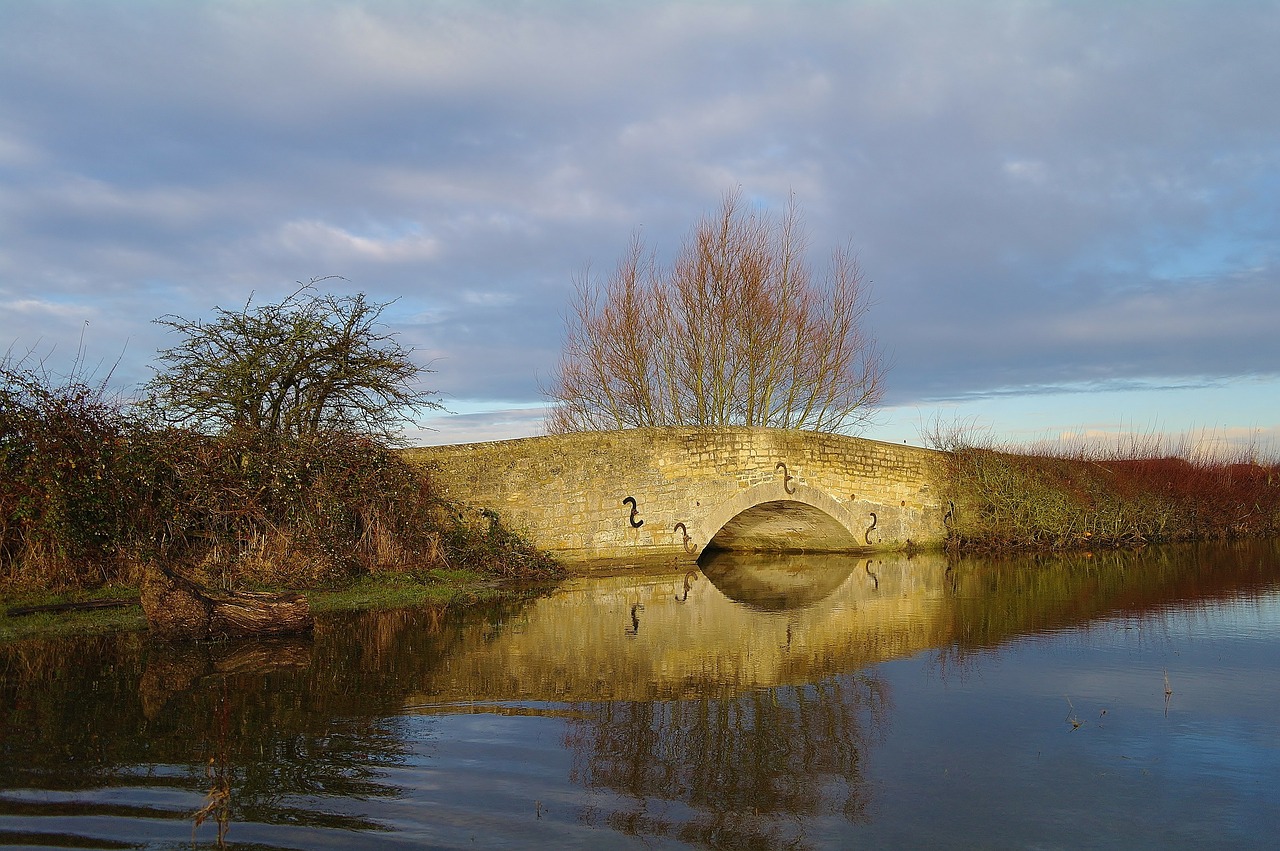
[739,771]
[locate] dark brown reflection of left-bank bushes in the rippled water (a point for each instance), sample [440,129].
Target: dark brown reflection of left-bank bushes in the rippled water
[292,730]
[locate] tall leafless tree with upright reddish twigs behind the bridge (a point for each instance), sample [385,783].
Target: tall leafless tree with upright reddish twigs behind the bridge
[738,332]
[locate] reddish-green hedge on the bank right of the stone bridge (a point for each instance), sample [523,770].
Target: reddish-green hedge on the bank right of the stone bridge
[1087,497]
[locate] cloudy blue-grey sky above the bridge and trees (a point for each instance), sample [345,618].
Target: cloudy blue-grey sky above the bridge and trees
[1069,211]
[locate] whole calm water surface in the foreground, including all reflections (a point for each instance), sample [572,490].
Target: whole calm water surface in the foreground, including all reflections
[1113,701]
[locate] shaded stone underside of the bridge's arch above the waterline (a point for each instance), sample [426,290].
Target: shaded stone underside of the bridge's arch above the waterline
[784,527]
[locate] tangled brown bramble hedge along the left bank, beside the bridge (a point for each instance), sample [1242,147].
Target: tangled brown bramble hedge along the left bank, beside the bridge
[93,495]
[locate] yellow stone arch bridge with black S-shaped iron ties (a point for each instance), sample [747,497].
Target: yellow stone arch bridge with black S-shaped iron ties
[646,493]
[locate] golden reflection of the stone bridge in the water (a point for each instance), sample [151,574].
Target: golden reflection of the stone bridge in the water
[738,624]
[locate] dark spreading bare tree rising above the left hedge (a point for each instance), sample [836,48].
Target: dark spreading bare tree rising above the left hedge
[312,363]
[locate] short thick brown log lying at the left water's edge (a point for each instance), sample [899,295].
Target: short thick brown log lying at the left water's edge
[179,607]
